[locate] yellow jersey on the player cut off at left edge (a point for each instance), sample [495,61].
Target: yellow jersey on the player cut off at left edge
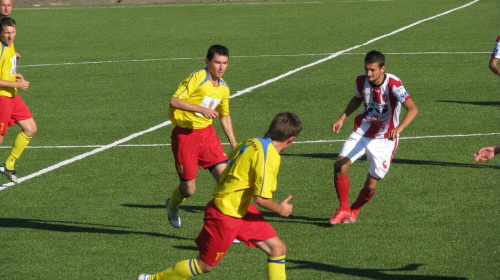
[8,65]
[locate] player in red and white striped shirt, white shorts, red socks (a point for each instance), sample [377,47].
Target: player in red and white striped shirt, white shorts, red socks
[376,131]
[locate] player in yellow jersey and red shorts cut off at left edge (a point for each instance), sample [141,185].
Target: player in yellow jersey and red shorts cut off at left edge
[13,110]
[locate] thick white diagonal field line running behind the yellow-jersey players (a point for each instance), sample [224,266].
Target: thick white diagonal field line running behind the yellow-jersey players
[247,90]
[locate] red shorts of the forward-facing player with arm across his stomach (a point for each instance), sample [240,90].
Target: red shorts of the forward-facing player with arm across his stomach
[196,148]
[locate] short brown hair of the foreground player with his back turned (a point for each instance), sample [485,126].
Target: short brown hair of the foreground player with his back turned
[284,126]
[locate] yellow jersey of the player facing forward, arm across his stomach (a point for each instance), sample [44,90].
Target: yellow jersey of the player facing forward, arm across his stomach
[197,89]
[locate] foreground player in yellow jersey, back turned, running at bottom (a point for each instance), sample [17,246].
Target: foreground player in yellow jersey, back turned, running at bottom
[251,174]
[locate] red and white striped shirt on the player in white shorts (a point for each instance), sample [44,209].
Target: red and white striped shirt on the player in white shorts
[382,106]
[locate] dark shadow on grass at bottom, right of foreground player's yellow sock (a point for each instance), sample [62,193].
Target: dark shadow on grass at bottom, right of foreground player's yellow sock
[369,273]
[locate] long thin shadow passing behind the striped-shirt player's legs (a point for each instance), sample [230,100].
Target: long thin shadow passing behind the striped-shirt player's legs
[404,161]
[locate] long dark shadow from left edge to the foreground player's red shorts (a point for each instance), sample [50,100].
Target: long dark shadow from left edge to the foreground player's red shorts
[64,226]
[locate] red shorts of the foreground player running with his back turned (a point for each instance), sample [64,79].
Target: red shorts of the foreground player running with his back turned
[220,230]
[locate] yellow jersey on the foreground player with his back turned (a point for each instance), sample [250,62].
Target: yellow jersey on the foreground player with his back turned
[252,169]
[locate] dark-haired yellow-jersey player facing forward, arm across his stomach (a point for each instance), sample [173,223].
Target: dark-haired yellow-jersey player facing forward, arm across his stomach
[199,99]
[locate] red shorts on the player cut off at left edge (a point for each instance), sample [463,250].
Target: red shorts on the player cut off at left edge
[12,110]
